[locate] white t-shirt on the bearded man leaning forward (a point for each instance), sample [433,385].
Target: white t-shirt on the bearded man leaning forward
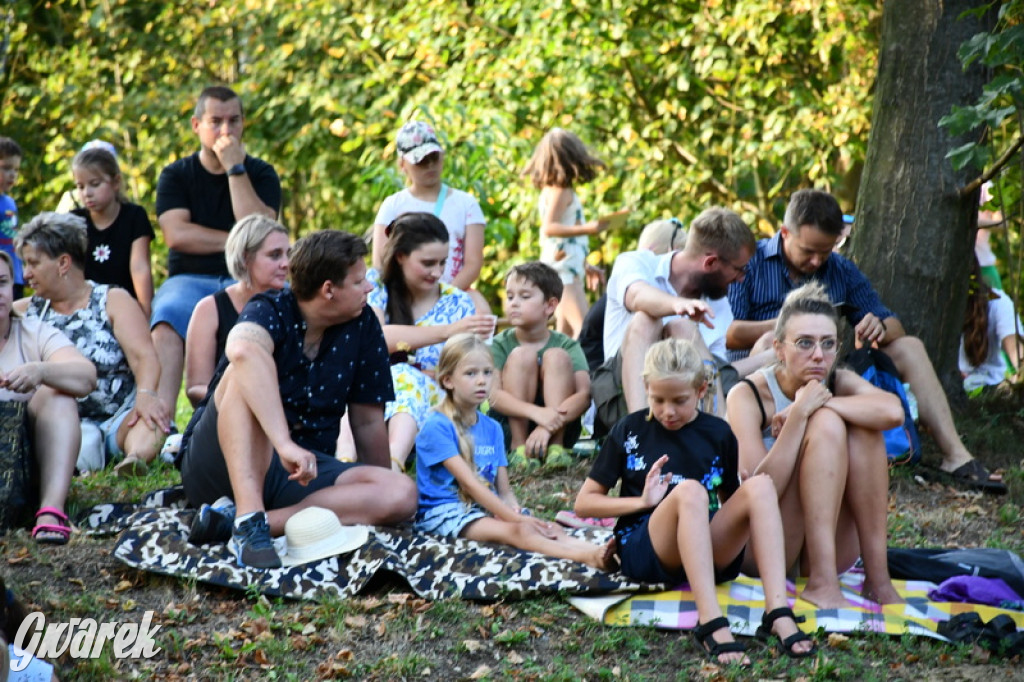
[654,270]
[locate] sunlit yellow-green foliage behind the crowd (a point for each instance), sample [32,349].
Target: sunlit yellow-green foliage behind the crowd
[692,104]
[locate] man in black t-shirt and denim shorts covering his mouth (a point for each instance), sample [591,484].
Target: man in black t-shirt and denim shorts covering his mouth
[199,198]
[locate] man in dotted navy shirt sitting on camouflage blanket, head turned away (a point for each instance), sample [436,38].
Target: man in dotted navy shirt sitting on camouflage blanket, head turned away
[266,434]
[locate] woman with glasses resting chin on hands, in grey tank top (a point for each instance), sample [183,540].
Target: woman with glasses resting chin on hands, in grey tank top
[817,431]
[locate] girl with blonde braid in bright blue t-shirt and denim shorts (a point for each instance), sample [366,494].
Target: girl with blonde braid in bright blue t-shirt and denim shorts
[462,473]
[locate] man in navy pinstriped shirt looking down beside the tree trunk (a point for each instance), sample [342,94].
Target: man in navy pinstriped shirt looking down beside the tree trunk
[803,251]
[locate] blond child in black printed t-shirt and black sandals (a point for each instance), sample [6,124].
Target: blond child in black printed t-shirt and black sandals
[685,516]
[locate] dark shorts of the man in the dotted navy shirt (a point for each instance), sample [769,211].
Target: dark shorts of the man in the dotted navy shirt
[204,473]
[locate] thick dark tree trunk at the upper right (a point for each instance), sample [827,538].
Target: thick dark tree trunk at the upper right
[914,236]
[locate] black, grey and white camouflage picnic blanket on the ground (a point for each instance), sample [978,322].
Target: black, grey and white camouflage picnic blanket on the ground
[153,537]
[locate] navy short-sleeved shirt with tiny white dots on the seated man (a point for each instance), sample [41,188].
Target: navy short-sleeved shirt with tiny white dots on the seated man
[352,367]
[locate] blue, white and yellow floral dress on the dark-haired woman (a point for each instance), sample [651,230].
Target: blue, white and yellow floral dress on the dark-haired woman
[416,392]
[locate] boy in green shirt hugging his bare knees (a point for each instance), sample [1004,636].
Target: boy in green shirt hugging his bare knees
[543,386]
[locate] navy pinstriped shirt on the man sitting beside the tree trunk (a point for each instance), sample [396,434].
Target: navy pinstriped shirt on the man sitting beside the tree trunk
[760,295]
